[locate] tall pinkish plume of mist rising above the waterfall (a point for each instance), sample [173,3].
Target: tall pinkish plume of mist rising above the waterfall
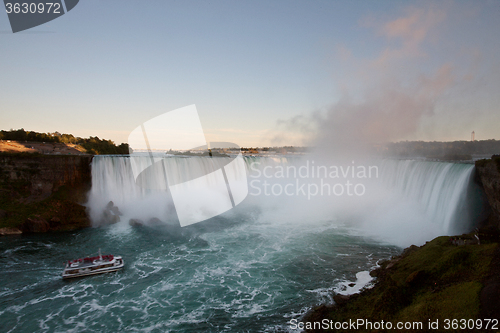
[384,97]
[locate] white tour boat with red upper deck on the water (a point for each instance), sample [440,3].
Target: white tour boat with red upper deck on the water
[92,265]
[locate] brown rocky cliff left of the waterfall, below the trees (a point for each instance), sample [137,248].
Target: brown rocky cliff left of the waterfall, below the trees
[40,193]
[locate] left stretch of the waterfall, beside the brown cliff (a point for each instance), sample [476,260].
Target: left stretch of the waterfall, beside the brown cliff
[146,195]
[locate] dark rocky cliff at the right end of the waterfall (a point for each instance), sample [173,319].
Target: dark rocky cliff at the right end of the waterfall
[488,172]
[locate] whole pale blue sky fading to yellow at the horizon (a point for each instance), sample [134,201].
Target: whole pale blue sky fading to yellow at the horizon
[261,73]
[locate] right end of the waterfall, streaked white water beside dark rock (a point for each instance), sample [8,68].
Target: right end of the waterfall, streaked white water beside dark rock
[446,192]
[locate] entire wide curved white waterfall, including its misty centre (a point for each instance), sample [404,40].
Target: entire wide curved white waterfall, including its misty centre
[408,202]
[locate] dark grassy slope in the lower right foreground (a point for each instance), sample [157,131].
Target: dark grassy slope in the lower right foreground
[436,281]
